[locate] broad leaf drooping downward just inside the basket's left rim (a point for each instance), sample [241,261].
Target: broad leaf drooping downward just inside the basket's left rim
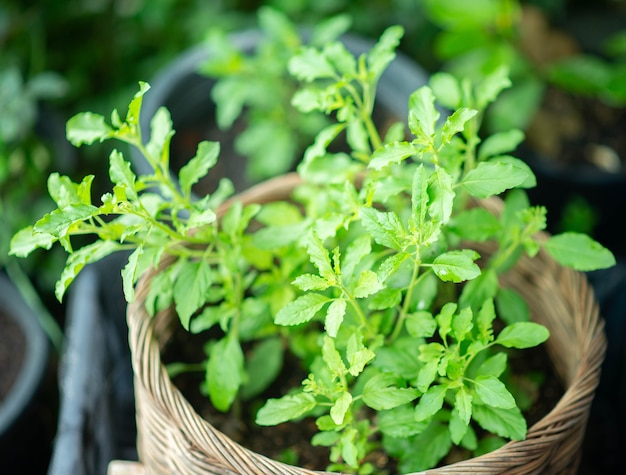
[190,289]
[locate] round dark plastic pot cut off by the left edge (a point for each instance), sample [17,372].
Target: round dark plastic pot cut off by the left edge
[24,352]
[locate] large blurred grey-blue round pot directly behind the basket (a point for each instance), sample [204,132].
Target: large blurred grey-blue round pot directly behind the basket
[187,95]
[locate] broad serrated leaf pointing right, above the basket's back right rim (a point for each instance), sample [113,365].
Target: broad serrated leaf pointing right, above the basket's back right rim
[492,178]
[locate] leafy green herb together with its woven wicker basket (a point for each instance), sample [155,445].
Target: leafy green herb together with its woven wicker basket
[391,275]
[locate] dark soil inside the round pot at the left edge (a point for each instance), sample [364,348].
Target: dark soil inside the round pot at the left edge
[12,343]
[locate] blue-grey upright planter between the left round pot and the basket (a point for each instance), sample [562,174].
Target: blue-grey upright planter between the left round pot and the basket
[96,417]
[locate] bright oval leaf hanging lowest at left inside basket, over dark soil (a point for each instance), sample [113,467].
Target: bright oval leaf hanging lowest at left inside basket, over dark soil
[224,372]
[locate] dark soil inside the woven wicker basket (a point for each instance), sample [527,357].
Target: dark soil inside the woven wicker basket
[290,442]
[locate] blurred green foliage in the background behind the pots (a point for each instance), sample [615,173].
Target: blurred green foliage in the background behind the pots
[60,57]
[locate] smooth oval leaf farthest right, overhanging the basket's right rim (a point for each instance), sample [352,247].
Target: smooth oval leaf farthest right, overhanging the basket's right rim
[579,251]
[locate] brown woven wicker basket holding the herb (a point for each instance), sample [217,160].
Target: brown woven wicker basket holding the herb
[174,439]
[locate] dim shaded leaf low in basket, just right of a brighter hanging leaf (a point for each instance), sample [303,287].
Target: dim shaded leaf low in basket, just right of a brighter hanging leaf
[263,365]
